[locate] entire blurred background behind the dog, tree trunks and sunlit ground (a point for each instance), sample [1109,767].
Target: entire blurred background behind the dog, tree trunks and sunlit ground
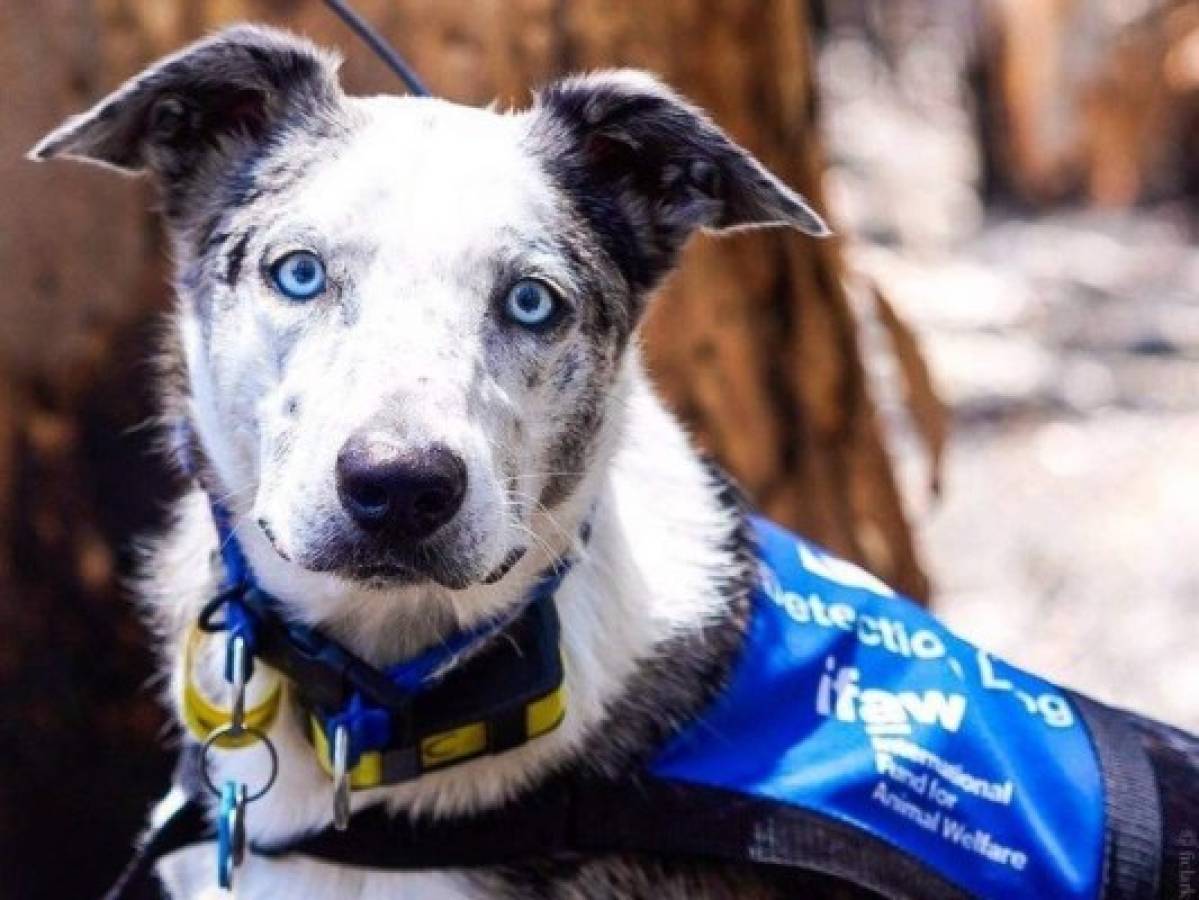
[986,389]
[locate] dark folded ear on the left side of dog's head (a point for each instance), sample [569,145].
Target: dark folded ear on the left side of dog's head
[213,99]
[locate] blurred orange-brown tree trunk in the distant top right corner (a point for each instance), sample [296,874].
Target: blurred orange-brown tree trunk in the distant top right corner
[1092,100]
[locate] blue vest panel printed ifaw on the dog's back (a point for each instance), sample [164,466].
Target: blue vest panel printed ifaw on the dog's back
[854,704]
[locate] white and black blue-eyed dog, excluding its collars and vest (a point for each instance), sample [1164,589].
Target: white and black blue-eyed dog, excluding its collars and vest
[407,358]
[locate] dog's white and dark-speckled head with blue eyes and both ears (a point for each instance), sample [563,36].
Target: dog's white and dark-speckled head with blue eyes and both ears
[402,318]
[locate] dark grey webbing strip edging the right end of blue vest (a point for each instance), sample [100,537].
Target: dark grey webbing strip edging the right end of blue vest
[1132,851]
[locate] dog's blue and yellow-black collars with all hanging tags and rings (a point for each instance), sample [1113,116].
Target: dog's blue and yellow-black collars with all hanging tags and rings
[468,696]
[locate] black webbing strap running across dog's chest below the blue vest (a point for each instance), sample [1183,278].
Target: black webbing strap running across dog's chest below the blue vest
[591,818]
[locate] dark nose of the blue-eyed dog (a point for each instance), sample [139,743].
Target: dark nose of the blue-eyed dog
[407,493]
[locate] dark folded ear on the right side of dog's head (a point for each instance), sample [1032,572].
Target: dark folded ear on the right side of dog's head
[628,146]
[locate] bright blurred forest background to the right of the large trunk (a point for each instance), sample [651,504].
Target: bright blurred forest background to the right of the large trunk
[1020,178]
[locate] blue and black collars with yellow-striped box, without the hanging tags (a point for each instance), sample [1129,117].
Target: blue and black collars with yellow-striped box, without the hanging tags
[466,697]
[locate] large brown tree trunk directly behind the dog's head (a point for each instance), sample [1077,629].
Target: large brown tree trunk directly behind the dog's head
[754,342]
